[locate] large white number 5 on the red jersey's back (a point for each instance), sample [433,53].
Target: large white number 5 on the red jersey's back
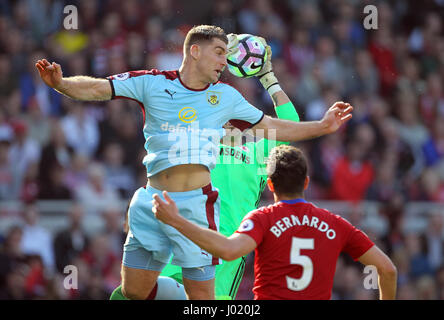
[304,261]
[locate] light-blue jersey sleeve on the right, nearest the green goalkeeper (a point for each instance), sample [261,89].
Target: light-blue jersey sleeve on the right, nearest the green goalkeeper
[244,115]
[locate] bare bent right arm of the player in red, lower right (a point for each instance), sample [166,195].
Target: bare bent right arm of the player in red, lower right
[387,274]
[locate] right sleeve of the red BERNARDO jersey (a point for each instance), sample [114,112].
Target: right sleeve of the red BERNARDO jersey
[357,242]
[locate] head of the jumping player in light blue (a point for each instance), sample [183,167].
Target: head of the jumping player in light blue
[205,46]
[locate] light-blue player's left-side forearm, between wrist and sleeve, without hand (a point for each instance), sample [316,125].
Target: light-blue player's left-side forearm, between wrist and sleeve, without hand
[85,88]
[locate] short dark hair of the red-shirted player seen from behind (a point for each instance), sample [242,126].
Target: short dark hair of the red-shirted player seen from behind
[287,168]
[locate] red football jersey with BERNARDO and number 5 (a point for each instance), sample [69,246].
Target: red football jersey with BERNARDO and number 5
[298,245]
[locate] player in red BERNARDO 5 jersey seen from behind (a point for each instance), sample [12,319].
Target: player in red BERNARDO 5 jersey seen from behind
[297,244]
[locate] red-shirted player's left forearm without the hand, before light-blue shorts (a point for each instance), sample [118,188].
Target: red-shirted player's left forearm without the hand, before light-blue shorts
[211,241]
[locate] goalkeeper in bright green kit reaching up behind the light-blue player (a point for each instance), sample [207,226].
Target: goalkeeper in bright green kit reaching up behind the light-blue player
[240,177]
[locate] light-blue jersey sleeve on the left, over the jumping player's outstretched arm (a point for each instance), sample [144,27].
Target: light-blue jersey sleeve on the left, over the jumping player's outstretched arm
[131,85]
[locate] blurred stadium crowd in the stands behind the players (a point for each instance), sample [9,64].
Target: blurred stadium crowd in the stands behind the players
[63,196]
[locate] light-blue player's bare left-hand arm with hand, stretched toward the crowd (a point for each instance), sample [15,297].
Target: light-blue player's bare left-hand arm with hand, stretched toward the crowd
[78,87]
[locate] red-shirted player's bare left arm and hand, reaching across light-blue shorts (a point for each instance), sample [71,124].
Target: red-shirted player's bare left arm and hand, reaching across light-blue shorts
[211,241]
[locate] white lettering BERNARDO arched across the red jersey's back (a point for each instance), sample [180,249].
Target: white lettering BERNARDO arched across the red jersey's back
[288,222]
